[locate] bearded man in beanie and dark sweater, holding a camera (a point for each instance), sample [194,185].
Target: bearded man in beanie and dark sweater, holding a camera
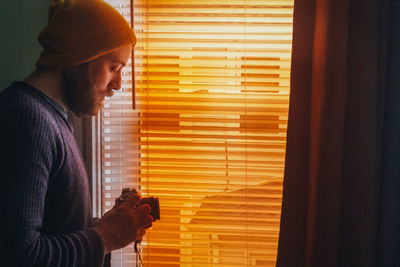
[44,186]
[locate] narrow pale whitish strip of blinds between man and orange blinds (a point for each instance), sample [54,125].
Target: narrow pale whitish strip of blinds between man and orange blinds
[118,148]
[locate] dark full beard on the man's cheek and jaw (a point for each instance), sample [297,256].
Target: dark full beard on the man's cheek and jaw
[79,90]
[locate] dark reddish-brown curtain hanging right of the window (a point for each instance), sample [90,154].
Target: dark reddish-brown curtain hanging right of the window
[341,198]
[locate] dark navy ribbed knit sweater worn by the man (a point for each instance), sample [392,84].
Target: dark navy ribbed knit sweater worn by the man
[45,198]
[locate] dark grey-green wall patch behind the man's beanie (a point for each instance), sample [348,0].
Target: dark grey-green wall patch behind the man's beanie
[20,23]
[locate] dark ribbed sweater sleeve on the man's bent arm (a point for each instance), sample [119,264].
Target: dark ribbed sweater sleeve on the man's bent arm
[27,154]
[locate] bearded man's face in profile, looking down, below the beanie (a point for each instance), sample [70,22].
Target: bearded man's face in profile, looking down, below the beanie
[85,86]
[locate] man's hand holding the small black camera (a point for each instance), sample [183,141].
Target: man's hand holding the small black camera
[124,223]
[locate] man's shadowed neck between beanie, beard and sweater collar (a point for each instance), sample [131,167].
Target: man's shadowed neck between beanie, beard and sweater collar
[48,82]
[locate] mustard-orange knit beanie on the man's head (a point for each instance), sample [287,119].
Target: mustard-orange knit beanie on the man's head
[81,30]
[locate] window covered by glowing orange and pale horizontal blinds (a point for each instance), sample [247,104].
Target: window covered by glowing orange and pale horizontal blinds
[208,133]
